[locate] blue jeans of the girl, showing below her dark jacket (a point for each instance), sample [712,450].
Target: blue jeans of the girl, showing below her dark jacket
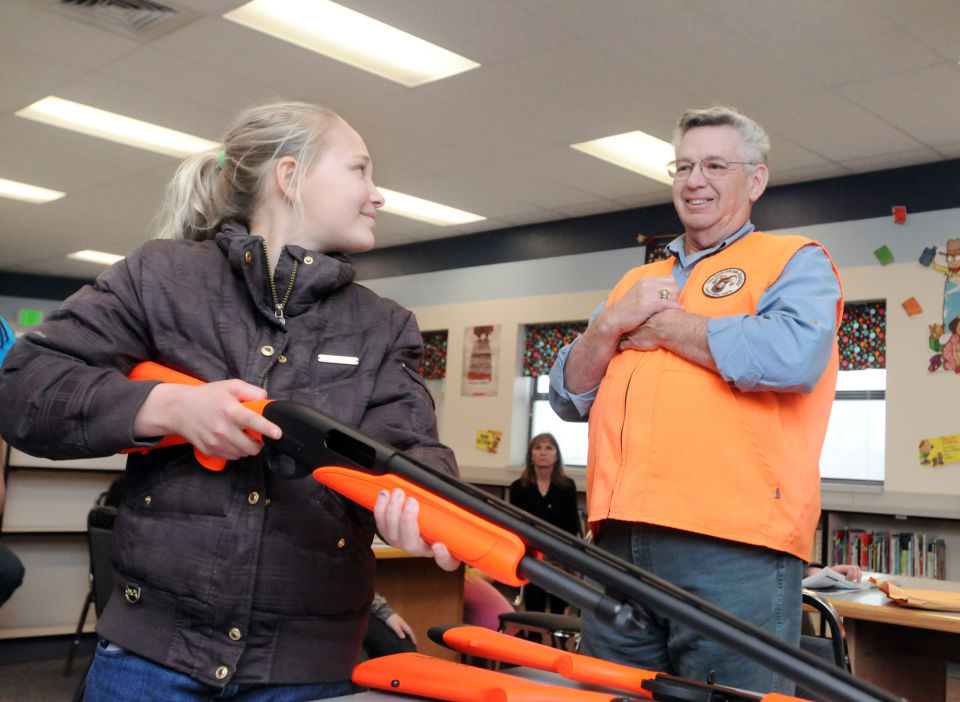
[117,674]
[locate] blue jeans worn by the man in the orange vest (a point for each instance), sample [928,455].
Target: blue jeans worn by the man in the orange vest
[756,584]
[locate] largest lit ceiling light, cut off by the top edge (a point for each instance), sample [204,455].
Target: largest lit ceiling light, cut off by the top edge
[353,38]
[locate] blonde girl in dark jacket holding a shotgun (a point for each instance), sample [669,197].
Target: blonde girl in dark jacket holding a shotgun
[235,583]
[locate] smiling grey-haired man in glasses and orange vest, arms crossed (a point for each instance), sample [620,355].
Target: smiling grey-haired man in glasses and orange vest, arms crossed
[708,380]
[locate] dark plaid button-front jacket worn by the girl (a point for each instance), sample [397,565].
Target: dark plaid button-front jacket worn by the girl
[237,576]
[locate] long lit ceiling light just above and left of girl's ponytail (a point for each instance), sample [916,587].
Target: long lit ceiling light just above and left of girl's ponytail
[109,125]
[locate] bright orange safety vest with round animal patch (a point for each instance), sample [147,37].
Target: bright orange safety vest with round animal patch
[673,444]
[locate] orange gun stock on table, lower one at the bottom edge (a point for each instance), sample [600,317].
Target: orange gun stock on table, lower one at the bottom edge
[417,674]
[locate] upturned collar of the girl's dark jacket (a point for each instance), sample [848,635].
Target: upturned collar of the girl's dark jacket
[317,274]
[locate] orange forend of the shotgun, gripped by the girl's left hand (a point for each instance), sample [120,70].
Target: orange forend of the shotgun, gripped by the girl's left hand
[472,539]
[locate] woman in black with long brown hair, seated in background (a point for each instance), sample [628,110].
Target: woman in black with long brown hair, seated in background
[545,491]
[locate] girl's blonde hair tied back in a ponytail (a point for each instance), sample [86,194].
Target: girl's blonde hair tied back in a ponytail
[211,188]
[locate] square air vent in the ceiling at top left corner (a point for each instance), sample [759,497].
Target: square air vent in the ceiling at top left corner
[142,19]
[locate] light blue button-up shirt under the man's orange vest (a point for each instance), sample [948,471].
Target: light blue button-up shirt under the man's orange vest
[784,347]
